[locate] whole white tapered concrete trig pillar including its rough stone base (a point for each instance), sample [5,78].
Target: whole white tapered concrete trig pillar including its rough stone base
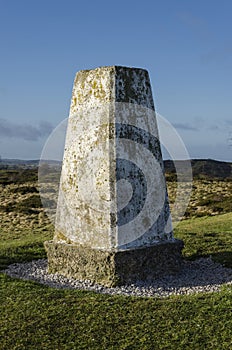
[113,223]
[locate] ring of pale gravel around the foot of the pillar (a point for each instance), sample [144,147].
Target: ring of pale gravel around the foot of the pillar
[202,275]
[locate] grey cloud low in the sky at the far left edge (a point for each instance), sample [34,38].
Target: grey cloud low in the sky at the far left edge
[24,131]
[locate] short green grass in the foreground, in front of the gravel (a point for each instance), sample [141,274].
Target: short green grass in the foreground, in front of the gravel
[37,317]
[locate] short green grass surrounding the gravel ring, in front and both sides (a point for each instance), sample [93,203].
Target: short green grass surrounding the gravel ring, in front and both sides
[37,317]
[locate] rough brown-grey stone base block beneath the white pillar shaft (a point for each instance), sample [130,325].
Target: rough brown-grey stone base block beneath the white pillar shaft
[111,268]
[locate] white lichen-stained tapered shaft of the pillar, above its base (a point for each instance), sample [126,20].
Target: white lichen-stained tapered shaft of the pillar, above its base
[112,191]
